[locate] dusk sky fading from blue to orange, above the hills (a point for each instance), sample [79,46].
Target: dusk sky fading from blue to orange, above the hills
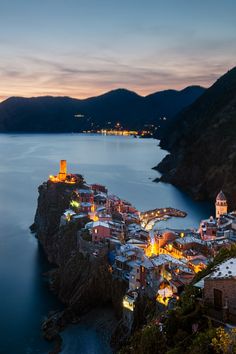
[83,48]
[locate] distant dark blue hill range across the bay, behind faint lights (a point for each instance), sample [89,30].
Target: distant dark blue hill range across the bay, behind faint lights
[65,114]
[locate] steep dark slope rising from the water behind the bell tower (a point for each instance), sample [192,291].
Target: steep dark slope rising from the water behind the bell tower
[202,144]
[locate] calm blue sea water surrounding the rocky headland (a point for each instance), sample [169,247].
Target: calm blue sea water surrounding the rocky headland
[122,163]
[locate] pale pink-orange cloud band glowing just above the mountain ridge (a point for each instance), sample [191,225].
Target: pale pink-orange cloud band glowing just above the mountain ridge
[82,75]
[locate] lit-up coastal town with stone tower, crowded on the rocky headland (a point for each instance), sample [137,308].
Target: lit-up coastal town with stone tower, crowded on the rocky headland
[159,263]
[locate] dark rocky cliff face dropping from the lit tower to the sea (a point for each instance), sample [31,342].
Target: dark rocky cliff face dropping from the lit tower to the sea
[81,279]
